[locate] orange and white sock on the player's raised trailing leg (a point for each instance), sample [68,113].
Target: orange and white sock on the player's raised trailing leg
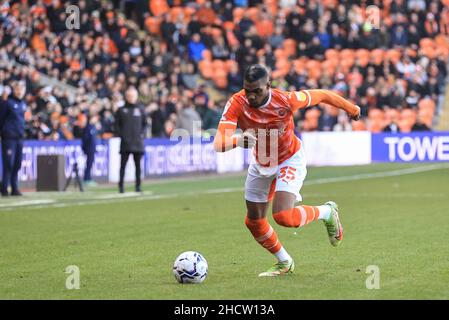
[301,215]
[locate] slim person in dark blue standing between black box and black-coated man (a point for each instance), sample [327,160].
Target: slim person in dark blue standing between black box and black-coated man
[88,144]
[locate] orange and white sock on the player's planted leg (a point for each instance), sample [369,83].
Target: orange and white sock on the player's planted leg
[265,235]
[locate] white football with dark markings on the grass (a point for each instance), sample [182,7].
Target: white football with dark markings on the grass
[190,267]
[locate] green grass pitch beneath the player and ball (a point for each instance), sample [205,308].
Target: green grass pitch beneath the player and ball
[395,217]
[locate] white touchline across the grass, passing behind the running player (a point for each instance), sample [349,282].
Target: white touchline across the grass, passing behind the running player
[113,198]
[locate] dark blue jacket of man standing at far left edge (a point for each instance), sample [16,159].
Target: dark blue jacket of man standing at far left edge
[12,118]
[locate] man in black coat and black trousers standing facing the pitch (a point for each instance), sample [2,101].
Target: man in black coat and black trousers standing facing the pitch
[130,127]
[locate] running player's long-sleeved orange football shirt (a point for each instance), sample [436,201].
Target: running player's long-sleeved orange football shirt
[272,123]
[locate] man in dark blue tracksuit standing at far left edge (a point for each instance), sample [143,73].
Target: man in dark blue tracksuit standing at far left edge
[12,131]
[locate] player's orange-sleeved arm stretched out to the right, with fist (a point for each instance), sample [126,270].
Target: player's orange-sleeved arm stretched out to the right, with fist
[313,97]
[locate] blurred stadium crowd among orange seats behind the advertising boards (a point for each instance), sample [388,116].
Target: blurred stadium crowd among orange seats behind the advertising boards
[186,58]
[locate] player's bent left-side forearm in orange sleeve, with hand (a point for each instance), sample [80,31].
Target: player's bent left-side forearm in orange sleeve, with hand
[226,139]
